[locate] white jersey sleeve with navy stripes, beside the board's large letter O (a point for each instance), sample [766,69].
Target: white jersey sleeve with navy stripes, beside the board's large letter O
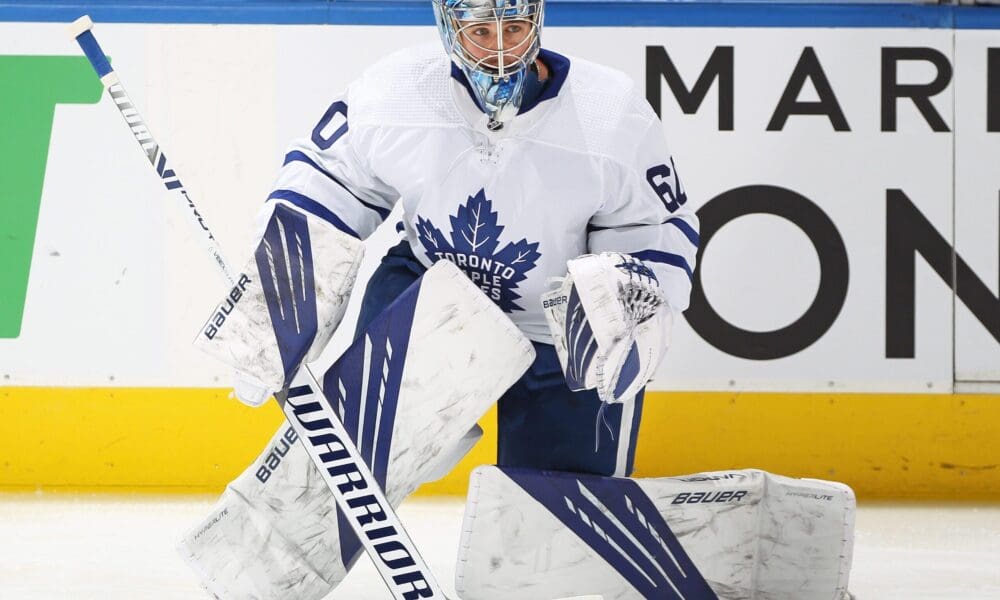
[648,216]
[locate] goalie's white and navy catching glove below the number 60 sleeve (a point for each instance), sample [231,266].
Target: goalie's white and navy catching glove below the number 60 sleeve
[610,324]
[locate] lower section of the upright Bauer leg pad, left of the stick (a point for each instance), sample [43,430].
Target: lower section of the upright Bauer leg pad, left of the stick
[266,537]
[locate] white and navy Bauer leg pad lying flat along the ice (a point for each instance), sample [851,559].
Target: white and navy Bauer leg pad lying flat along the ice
[732,535]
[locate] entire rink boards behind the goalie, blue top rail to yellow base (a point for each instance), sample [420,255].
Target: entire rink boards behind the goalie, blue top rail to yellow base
[103,288]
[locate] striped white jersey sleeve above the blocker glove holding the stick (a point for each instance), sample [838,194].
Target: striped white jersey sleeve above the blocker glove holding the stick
[328,174]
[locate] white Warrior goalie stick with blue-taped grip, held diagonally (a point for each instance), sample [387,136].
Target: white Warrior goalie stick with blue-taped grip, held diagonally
[306,408]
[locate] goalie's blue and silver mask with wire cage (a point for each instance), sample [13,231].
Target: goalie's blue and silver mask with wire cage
[494,42]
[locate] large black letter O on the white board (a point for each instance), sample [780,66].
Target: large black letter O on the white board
[833,281]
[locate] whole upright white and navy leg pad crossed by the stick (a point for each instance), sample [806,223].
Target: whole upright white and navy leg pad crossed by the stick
[407,390]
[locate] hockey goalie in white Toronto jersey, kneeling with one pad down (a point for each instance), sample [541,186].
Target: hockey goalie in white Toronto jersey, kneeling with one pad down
[509,167]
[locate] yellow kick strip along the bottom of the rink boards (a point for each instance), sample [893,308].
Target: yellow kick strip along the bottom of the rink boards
[196,440]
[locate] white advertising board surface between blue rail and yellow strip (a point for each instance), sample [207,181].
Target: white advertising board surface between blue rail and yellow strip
[800,191]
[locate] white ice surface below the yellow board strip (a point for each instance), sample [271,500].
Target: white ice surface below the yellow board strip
[116,547]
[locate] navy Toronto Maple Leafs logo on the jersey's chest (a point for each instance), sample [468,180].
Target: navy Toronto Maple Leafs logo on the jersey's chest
[475,238]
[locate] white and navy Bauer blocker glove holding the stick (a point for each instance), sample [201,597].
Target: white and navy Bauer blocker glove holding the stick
[286,303]
